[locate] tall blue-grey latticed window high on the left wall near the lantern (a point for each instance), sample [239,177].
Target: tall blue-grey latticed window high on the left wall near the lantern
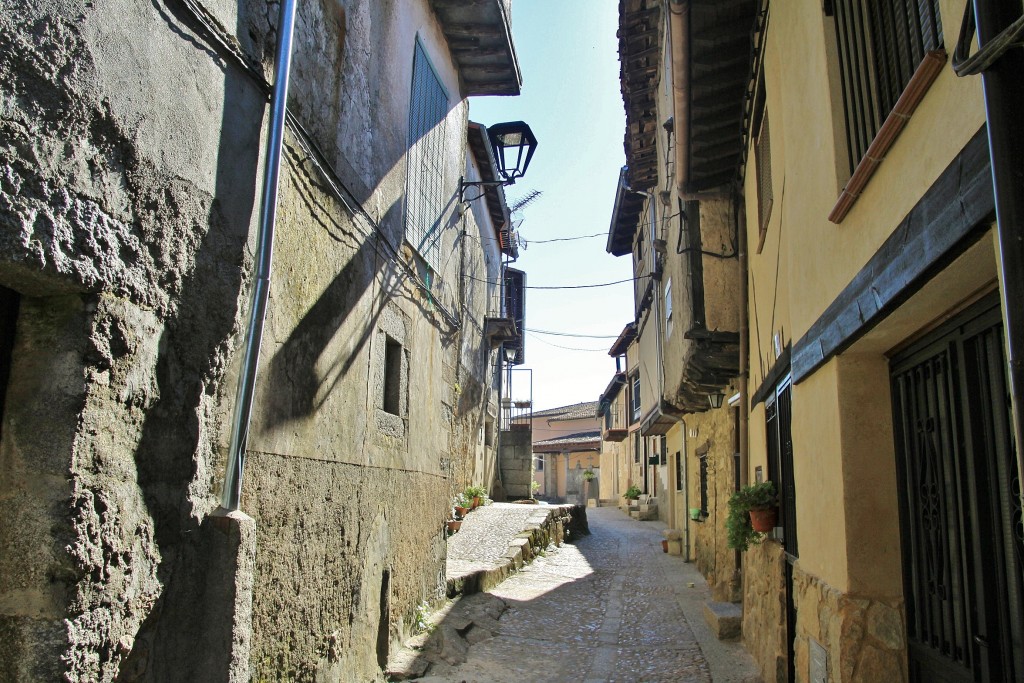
[425,185]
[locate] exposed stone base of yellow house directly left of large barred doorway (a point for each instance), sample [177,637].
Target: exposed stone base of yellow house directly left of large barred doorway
[865,638]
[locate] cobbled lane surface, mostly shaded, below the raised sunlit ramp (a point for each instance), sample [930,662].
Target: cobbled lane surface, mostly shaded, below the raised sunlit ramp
[610,608]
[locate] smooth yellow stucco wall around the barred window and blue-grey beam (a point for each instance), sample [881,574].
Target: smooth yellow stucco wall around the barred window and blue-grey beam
[838,443]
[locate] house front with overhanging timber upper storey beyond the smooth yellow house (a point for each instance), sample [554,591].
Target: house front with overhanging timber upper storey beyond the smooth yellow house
[684,246]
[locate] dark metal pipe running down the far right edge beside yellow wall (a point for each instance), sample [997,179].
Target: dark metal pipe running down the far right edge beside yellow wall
[1004,88]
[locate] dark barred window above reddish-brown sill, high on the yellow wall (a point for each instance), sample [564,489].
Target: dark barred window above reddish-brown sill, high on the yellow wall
[880,46]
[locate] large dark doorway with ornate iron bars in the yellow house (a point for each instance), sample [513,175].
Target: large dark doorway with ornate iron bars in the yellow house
[960,503]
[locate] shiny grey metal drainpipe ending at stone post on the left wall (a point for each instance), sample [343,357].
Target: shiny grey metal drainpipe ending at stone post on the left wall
[232,495]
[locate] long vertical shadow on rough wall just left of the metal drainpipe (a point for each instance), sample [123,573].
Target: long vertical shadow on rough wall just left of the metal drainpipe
[194,353]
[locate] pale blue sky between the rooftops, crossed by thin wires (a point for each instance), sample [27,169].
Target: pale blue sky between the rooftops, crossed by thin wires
[571,99]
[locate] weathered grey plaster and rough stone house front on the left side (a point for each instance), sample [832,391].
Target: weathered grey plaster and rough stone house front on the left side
[132,146]
